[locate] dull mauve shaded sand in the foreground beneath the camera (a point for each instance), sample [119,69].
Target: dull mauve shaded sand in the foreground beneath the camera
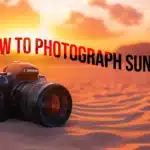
[28,136]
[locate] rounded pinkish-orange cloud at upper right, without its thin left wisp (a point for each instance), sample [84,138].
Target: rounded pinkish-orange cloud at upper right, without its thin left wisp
[125,14]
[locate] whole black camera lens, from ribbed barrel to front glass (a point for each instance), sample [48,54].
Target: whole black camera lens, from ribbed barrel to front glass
[49,104]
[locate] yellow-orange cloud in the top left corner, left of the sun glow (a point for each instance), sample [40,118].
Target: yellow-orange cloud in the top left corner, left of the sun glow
[17,15]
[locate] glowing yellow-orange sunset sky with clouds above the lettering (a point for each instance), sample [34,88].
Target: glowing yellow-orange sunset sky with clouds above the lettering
[101,24]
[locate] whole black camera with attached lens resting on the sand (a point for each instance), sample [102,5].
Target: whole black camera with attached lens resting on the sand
[26,95]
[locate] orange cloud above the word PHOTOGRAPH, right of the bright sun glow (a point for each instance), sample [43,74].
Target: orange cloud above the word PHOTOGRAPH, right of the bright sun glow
[80,26]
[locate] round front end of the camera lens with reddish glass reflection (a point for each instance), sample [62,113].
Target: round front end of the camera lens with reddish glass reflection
[55,105]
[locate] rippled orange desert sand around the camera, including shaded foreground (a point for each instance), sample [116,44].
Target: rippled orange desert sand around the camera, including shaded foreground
[111,111]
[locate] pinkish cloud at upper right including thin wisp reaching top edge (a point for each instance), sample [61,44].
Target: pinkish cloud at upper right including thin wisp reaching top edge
[123,14]
